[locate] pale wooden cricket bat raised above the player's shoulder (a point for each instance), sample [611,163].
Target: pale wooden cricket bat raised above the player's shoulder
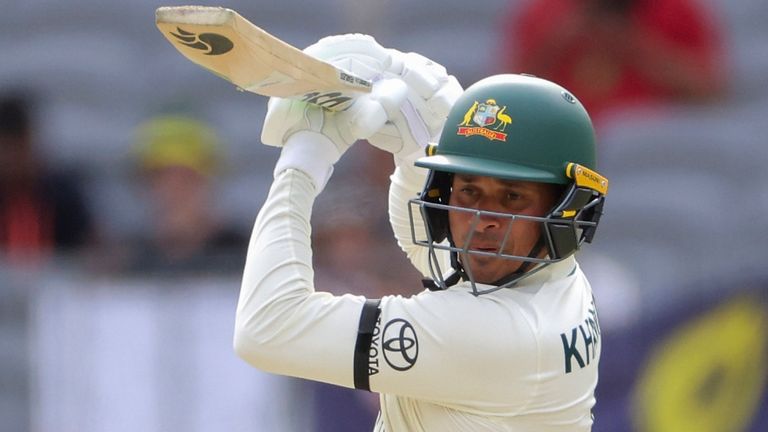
[230,46]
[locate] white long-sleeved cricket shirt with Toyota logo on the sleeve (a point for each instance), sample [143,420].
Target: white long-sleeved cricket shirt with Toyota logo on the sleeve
[520,359]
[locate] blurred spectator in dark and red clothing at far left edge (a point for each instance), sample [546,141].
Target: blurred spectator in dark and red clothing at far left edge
[42,210]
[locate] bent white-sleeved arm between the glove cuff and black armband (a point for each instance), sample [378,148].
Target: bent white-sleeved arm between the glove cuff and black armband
[281,321]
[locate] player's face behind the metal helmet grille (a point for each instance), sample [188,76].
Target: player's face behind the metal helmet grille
[502,196]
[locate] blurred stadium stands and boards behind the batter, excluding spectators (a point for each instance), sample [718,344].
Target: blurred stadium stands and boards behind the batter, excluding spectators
[678,267]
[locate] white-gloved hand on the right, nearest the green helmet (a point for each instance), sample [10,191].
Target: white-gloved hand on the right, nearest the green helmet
[431,93]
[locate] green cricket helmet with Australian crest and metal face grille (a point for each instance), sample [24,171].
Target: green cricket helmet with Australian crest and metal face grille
[514,127]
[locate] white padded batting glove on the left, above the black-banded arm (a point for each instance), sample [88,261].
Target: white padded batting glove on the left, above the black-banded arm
[330,134]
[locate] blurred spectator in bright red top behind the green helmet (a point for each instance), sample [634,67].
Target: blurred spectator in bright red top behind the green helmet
[619,53]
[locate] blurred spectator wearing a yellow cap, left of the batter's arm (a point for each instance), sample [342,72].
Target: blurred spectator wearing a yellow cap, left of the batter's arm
[178,158]
